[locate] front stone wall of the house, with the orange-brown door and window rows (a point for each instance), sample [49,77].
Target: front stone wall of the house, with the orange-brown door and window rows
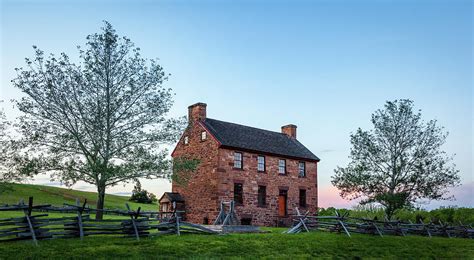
[274,182]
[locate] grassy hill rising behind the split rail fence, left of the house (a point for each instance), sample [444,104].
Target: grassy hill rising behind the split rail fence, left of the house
[58,196]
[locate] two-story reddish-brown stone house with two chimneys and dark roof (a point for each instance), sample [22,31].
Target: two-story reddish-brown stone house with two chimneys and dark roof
[268,174]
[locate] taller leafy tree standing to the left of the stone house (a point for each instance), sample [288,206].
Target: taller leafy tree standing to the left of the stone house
[103,120]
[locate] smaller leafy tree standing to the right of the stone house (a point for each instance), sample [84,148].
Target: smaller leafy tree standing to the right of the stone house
[398,162]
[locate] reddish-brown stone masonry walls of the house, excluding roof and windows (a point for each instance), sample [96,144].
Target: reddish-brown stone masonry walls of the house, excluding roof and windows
[214,179]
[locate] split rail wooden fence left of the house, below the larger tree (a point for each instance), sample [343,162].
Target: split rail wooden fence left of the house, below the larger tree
[36,225]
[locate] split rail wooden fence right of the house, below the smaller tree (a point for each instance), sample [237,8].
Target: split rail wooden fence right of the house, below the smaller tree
[347,225]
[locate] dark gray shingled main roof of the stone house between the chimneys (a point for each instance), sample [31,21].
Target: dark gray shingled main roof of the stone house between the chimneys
[259,140]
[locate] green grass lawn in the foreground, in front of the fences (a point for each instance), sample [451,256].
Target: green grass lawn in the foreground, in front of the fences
[272,245]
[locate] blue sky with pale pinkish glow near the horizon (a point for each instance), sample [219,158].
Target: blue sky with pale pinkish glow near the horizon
[322,65]
